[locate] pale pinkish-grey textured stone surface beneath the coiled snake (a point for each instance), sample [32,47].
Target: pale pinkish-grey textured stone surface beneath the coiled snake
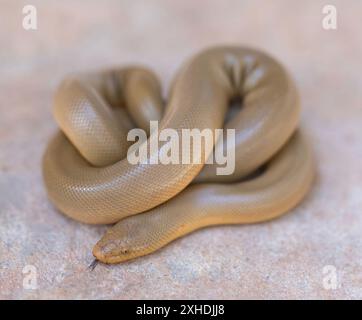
[280,259]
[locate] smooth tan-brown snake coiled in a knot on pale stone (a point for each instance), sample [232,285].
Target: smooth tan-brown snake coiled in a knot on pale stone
[88,177]
